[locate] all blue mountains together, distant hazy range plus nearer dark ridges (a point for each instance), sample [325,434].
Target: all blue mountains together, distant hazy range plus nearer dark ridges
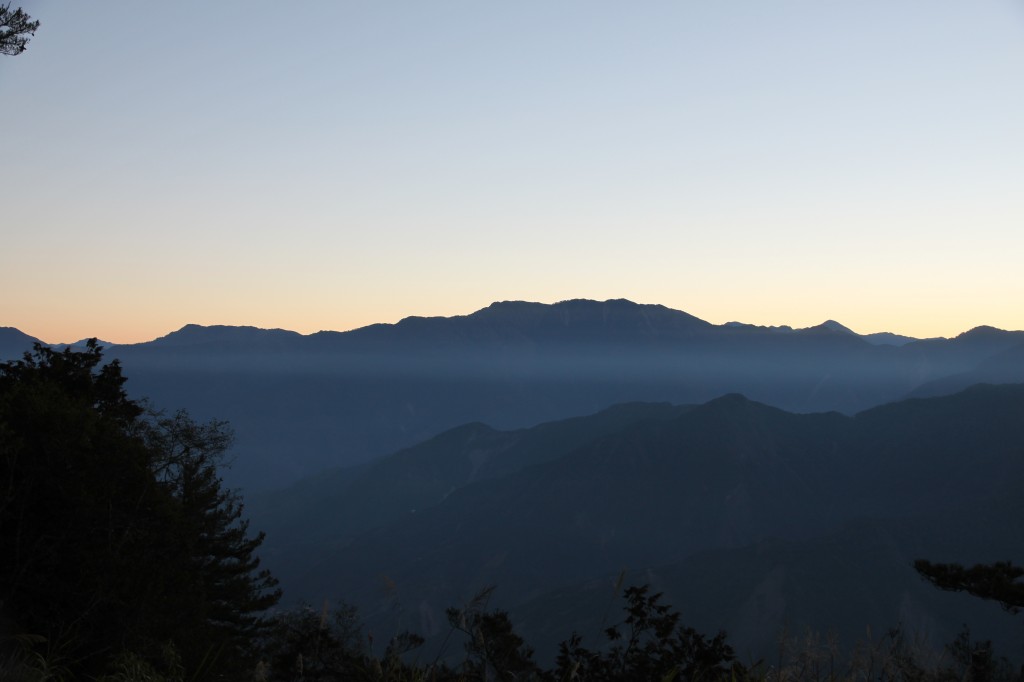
[765,479]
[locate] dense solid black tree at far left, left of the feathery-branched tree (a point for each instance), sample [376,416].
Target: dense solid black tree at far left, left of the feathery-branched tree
[76,495]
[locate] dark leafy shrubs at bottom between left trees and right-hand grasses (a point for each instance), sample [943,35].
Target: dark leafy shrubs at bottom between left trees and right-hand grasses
[650,645]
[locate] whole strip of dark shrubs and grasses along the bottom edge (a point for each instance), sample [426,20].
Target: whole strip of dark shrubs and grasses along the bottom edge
[328,646]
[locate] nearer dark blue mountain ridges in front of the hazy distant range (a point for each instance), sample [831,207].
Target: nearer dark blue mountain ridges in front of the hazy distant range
[748,518]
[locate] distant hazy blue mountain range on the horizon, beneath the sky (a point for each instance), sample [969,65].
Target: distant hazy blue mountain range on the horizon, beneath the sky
[304,404]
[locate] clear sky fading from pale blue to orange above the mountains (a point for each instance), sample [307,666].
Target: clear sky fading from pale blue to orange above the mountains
[329,165]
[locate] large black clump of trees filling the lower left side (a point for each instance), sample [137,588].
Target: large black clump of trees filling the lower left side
[117,536]
